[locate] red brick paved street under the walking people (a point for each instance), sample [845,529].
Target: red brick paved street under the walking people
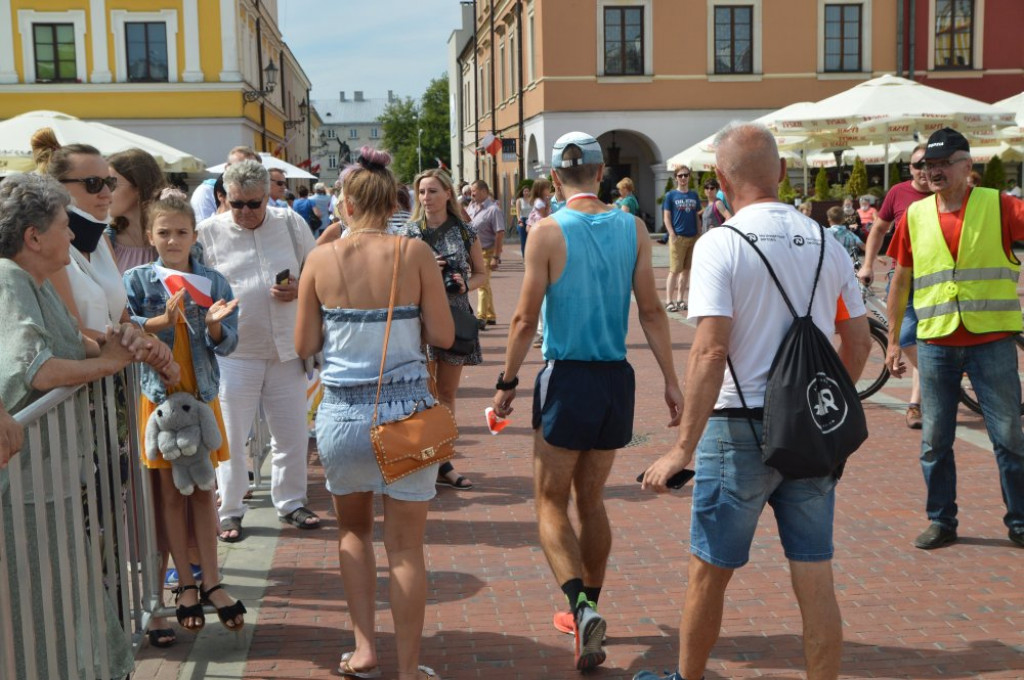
[956,613]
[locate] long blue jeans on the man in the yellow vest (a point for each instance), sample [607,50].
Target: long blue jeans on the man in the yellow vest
[993,370]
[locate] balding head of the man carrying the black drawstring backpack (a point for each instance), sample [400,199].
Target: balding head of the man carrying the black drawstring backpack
[748,157]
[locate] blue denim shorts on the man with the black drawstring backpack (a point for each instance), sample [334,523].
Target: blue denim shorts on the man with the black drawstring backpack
[732,489]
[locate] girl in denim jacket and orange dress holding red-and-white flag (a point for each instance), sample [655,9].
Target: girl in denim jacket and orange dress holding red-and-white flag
[193,310]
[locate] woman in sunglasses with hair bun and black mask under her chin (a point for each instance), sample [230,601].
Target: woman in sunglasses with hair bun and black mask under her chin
[91,286]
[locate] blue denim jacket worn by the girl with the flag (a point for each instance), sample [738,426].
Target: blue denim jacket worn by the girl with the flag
[147,299]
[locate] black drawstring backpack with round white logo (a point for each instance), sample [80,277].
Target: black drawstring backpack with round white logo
[814,420]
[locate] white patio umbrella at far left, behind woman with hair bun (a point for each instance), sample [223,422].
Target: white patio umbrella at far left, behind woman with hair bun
[16,134]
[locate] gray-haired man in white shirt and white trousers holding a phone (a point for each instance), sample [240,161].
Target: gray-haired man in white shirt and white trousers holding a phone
[261,250]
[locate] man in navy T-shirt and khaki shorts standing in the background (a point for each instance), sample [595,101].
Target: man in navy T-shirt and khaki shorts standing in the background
[680,210]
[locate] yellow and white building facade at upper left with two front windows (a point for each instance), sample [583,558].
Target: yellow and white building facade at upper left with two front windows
[177,71]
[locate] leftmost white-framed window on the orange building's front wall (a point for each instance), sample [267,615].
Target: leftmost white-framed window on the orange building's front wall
[624,38]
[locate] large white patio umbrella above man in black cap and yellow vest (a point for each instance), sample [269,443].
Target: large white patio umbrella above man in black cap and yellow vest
[891,109]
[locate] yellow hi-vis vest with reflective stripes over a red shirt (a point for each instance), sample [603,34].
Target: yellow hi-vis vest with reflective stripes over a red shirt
[980,287]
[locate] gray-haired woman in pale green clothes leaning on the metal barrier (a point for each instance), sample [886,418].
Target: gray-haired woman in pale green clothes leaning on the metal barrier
[42,349]
